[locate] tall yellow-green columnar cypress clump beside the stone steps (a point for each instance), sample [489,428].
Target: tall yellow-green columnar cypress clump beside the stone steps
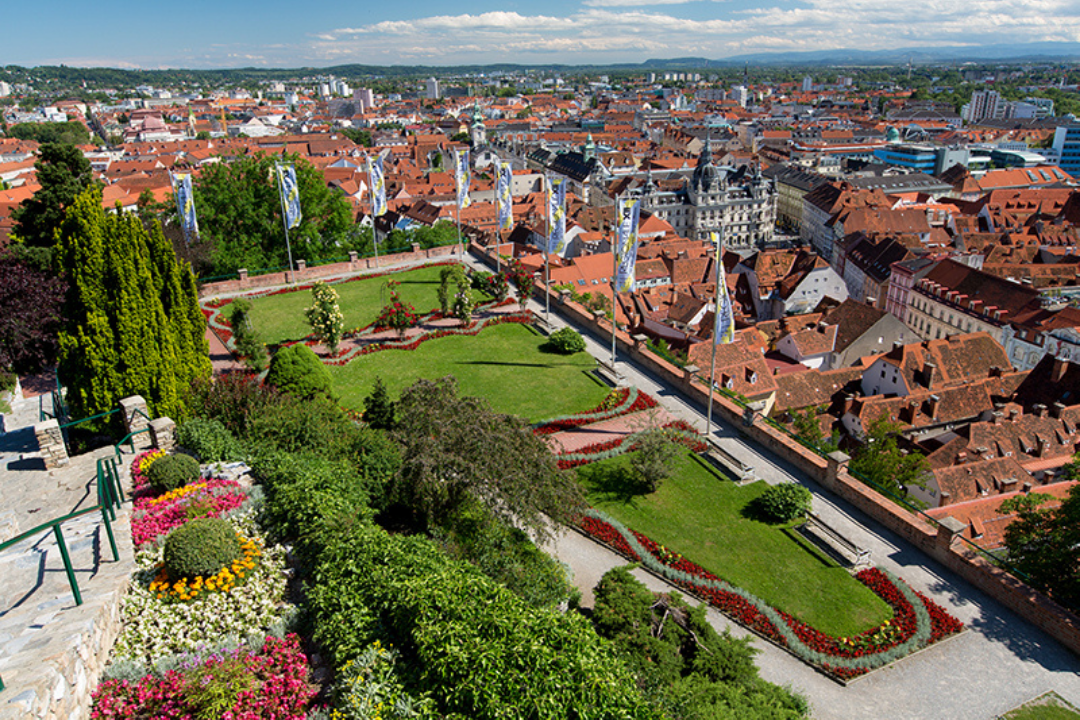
[133,325]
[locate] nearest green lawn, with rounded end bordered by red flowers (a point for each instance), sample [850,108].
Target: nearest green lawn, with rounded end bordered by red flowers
[700,515]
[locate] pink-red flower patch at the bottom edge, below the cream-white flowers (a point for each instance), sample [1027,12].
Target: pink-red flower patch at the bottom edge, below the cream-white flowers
[268,684]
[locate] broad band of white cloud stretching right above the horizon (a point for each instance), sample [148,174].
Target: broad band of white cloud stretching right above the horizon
[632,31]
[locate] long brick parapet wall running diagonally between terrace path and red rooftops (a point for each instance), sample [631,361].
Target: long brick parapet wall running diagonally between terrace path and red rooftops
[937,541]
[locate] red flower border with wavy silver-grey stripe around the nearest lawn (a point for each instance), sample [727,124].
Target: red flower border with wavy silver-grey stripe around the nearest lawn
[917,621]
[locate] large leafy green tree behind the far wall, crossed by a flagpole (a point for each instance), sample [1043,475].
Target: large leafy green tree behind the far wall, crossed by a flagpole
[240,214]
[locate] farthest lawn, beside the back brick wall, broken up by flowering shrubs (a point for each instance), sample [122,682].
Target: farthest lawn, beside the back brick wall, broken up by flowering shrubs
[280,318]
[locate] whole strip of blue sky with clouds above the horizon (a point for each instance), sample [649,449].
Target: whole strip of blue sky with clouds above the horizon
[222,34]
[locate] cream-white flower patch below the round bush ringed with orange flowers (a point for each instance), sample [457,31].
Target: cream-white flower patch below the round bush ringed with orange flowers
[156,627]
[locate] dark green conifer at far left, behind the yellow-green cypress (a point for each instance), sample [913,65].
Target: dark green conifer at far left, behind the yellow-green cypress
[64,173]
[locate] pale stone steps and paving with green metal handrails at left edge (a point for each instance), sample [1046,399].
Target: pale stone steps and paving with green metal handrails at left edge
[52,651]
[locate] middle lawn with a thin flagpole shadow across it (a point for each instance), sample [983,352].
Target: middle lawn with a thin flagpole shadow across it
[504,364]
